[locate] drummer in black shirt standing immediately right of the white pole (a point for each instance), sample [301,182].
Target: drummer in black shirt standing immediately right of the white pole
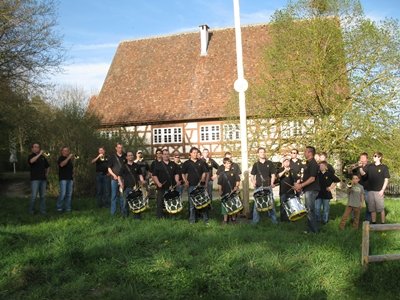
[263,174]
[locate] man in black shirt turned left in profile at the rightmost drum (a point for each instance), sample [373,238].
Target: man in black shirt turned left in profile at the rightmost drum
[310,187]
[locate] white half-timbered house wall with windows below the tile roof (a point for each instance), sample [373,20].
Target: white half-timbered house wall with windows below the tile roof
[217,136]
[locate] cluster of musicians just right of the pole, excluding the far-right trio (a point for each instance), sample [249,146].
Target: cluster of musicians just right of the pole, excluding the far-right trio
[316,180]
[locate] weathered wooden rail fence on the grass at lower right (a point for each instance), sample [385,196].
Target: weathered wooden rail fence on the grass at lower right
[365,257]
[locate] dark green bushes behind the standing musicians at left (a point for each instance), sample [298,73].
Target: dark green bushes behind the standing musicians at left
[62,122]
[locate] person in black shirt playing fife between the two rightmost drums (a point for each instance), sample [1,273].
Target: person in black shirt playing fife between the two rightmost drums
[286,187]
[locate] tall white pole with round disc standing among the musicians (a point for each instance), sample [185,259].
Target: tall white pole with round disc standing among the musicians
[241,86]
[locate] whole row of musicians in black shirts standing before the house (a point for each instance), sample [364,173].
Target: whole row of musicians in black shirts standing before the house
[119,173]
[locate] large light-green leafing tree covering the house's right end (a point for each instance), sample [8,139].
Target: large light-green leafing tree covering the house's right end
[330,79]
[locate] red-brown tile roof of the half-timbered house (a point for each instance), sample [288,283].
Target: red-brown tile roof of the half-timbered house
[164,79]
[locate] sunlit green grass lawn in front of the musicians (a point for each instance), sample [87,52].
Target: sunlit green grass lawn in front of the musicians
[89,254]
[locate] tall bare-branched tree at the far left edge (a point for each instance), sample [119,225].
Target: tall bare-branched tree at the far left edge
[30,49]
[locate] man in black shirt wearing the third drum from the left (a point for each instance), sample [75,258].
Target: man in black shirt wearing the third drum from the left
[194,174]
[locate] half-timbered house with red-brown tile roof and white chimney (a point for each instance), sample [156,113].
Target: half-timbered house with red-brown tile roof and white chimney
[173,91]
